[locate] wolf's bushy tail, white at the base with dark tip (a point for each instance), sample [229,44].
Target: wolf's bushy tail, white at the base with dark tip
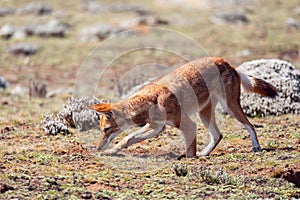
[256,85]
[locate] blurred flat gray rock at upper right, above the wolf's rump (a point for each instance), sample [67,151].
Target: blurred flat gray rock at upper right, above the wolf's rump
[229,17]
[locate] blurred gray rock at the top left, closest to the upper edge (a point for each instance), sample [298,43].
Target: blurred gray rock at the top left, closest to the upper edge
[37,8]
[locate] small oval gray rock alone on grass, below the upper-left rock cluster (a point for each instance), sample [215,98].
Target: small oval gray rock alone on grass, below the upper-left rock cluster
[23,49]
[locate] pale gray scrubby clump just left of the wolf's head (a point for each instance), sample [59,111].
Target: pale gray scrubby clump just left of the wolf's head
[74,114]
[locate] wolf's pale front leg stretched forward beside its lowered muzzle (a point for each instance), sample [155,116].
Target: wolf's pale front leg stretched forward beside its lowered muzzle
[147,131]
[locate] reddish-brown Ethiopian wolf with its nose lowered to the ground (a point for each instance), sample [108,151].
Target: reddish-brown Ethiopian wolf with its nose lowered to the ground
[194,88]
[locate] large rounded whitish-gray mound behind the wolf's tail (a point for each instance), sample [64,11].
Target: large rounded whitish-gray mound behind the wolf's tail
[284,76]
